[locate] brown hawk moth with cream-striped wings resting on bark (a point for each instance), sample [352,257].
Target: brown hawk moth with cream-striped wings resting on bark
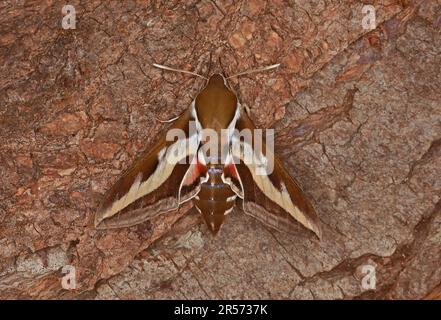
[176,171]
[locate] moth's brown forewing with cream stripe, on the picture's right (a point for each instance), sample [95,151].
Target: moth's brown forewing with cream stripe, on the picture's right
[274,198]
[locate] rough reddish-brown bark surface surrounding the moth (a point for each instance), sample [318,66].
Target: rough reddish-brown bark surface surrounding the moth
[358,122]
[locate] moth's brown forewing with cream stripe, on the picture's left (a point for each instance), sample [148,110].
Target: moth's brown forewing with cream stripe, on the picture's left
[153,184]
